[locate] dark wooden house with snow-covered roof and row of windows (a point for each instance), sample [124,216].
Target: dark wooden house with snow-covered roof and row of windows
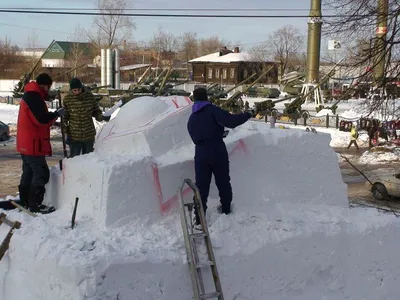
[231,67]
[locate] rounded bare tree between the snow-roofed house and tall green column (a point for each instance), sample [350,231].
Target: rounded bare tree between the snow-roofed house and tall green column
[285,45]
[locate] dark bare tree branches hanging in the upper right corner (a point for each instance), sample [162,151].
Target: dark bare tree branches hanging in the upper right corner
[356,27]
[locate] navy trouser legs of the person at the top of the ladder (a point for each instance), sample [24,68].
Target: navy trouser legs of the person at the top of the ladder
[213,159]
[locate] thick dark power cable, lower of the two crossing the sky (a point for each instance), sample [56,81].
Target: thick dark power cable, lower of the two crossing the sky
[160,15]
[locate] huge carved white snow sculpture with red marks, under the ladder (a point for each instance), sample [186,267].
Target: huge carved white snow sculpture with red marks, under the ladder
[291,234]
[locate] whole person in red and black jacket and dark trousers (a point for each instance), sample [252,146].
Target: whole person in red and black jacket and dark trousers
[33,142]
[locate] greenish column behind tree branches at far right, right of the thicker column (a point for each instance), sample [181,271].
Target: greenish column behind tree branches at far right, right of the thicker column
[380,43]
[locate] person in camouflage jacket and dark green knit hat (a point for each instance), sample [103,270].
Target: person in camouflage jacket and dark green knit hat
[80,108]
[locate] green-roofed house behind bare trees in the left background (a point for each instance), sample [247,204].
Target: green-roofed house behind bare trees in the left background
[67,54]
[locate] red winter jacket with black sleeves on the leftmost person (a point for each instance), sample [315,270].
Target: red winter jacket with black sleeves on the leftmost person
[34,122]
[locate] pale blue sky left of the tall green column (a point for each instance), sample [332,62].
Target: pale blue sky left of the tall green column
[241,32]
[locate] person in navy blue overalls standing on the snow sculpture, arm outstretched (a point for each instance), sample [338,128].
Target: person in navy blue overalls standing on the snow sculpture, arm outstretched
[206,128]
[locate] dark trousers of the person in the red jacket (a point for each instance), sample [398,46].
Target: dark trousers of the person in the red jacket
[35,175]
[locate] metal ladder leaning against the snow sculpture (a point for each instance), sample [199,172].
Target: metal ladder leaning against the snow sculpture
[191,240]
